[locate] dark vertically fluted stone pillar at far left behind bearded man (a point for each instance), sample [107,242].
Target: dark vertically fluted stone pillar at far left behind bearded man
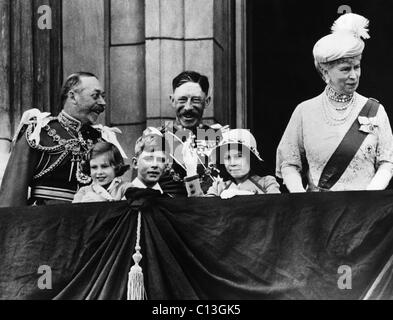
[30,65]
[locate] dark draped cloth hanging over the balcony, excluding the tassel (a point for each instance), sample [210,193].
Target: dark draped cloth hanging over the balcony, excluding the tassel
[287,246]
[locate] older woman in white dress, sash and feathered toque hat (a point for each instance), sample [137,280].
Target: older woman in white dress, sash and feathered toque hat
[339,140]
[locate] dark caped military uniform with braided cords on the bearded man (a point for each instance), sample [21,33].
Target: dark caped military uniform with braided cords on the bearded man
[50,164]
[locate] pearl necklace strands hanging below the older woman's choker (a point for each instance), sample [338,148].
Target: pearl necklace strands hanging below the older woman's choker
[335,116]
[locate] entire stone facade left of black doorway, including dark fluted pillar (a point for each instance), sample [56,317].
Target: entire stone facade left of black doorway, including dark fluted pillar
[136,48]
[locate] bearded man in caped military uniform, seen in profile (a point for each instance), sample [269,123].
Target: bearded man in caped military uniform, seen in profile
[48,151]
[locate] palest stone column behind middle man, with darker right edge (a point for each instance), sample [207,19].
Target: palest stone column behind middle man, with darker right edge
[187,35]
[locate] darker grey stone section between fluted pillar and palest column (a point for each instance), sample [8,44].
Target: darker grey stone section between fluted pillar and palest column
[107,37]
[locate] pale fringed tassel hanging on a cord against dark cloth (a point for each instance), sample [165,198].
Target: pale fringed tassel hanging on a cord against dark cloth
[136,287]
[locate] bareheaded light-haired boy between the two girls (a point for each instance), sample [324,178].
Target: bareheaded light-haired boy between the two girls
[150,159]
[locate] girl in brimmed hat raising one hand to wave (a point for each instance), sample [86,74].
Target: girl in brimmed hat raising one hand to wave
[238,162]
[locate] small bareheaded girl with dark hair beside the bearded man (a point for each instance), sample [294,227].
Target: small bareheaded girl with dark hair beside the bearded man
[105,166]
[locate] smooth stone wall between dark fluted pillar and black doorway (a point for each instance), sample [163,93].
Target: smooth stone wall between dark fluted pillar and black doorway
[137,47]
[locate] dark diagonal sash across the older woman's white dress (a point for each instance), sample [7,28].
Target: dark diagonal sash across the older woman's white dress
[347,149]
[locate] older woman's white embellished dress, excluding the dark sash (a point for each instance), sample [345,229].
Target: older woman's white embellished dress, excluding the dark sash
[314,133]
